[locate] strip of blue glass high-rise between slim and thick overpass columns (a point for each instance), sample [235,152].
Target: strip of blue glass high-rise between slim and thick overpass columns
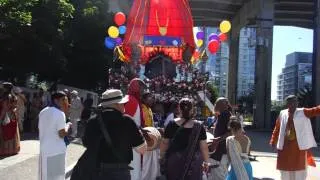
[246,63]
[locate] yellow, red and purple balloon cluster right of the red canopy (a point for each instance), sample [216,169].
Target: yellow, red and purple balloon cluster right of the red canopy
[216,39]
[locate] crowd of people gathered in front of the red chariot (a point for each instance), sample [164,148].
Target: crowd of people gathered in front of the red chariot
[128,138]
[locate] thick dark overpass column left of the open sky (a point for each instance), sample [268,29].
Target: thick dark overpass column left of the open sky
[263,64]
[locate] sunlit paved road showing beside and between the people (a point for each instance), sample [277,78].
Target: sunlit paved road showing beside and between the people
[24,166]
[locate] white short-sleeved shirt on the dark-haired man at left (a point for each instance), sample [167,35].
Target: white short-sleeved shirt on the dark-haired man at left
[51,120]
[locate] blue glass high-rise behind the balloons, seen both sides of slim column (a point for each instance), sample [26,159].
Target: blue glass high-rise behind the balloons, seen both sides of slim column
[218,64]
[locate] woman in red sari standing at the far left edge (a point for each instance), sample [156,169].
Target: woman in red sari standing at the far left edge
[9,131]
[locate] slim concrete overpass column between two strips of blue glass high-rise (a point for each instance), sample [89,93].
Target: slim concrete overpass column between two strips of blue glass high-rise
[233,66]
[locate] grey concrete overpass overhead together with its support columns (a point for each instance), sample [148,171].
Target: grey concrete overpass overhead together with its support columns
[263,15]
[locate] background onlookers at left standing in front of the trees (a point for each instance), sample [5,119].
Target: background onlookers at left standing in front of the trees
[19,113]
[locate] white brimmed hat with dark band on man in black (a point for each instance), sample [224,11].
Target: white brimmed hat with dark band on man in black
[113,96]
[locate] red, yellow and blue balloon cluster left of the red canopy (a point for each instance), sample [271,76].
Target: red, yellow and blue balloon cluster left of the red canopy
[113,39]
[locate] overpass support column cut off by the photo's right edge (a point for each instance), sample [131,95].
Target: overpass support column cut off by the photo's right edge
[316,65]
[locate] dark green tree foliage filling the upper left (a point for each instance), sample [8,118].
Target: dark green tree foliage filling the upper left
[58,41]
